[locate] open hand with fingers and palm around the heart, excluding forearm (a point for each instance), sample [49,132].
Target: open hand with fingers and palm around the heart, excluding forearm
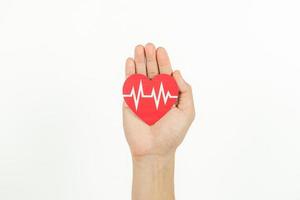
[164,136]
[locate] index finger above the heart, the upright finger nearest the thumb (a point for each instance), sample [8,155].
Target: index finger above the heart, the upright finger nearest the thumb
[163,60]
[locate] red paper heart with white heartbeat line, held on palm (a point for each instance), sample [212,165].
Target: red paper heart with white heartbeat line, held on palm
[150,99]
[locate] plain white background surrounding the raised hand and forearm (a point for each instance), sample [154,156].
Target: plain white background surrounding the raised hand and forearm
[61,74]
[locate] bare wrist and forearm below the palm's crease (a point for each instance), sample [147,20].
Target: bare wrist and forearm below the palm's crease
[153,175]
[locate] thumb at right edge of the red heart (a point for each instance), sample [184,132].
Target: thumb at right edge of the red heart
[186,97]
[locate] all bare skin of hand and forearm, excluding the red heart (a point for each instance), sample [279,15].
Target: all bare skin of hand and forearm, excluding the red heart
[153,147]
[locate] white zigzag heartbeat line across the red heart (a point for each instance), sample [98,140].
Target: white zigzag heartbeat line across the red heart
[140,94]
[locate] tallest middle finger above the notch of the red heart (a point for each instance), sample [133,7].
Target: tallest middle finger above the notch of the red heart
[152,68]
